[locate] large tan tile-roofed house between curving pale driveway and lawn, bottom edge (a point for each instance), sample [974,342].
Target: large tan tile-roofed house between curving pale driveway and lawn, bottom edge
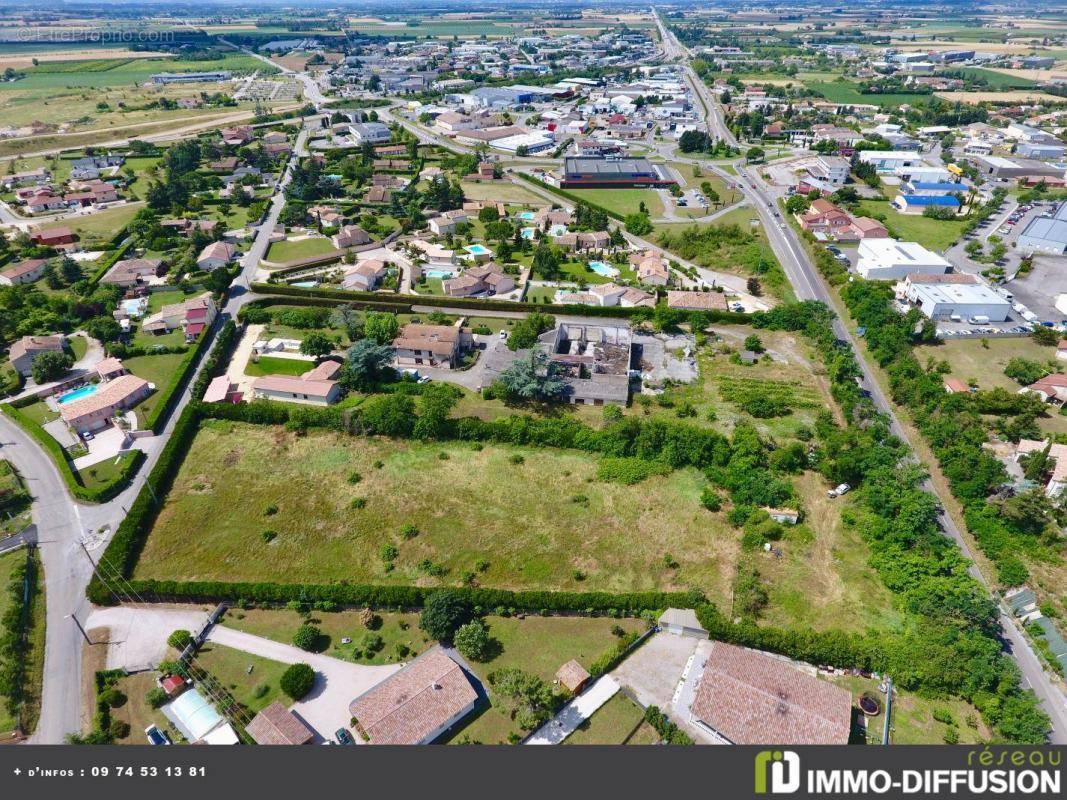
[418,705]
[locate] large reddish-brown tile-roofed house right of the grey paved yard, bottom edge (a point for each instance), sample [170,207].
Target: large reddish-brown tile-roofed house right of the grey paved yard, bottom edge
[745,697]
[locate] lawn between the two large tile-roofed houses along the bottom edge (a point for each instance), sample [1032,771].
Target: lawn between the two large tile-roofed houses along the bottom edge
[539,646]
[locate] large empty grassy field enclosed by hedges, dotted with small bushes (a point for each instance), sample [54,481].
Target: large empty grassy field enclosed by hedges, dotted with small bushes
[515,518]
